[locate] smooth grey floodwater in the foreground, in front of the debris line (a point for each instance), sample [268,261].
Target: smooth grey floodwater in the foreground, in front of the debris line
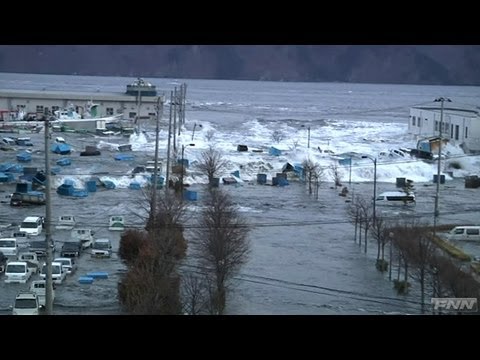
[303,258]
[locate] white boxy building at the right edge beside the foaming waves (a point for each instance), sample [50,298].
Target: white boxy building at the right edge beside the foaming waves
[460,124]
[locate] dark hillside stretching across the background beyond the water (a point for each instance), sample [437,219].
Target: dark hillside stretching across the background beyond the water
[400,64]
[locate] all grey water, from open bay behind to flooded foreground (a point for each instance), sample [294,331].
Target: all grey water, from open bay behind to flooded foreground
[303,258]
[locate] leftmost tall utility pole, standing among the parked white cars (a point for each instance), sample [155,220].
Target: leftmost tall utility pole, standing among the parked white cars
[47,222]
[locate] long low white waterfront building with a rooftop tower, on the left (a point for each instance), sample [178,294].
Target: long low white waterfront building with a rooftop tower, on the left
[138,102]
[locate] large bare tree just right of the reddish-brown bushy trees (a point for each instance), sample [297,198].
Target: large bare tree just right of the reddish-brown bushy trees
[222,242]
